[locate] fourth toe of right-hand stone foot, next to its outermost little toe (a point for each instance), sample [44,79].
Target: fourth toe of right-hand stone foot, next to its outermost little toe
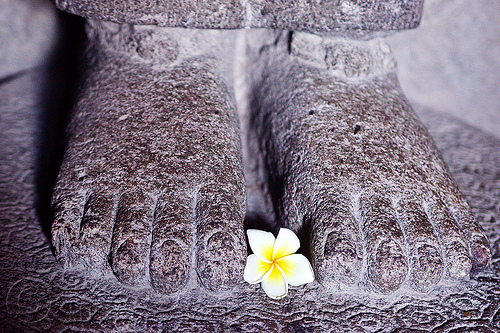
[456,257]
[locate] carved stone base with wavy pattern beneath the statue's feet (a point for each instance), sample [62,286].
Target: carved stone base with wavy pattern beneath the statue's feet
[37,295]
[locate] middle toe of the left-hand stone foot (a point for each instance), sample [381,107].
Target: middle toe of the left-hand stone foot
[131,239]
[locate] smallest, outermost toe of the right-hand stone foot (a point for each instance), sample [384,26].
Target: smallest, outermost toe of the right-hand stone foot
[478,242]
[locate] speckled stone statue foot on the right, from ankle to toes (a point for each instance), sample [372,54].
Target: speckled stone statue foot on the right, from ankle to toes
[349,162]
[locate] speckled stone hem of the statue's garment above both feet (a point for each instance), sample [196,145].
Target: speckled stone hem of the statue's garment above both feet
[302,15]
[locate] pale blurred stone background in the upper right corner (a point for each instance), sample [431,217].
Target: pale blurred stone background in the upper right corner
[451,62]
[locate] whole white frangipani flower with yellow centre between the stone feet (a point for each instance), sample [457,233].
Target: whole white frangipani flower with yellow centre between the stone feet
[274,263]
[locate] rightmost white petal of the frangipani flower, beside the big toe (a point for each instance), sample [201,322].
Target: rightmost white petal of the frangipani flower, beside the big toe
[297,269]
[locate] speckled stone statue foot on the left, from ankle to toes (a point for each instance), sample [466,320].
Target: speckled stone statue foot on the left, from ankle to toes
[151,188]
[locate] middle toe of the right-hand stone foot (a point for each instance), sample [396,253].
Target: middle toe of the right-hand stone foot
[426,265]
